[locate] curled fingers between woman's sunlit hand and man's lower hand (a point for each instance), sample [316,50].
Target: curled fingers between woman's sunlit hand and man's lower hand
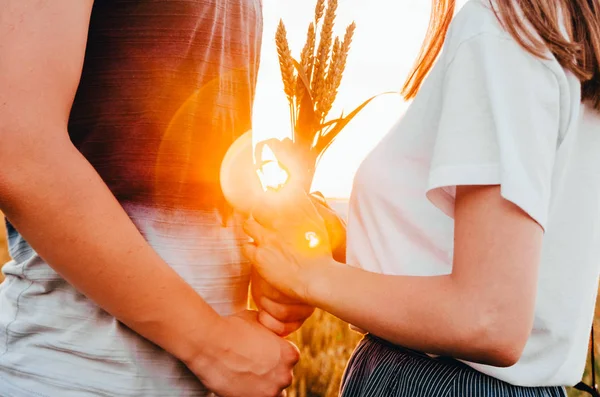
[278,312]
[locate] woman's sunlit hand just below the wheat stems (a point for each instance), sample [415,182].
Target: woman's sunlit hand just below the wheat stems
[290,241]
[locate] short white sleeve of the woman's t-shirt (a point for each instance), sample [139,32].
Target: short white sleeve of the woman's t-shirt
[499,125]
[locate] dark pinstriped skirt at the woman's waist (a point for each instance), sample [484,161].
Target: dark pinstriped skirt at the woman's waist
[380,369]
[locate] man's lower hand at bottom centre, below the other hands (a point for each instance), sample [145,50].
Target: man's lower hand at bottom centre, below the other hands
[248,360]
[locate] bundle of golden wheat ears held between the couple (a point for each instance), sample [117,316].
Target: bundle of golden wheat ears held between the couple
[312,83]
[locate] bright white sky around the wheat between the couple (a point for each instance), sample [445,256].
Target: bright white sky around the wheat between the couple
[386,42]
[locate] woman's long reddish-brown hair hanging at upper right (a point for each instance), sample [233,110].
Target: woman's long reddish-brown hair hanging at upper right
[580,53]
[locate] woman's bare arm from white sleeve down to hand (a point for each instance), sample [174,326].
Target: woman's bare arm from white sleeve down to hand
[482,312]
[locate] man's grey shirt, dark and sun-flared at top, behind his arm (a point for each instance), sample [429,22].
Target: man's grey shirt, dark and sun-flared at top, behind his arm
[166,87]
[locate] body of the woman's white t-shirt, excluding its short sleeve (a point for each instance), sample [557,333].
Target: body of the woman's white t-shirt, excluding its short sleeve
[395,229]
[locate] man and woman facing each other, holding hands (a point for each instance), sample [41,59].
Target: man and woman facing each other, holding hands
[472,246]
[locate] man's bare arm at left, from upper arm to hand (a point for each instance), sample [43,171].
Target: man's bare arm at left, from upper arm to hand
[62,207]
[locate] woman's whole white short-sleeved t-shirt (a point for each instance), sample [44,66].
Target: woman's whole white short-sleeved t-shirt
[490,113]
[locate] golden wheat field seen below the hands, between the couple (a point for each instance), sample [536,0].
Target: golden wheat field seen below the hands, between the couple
[326,344]
